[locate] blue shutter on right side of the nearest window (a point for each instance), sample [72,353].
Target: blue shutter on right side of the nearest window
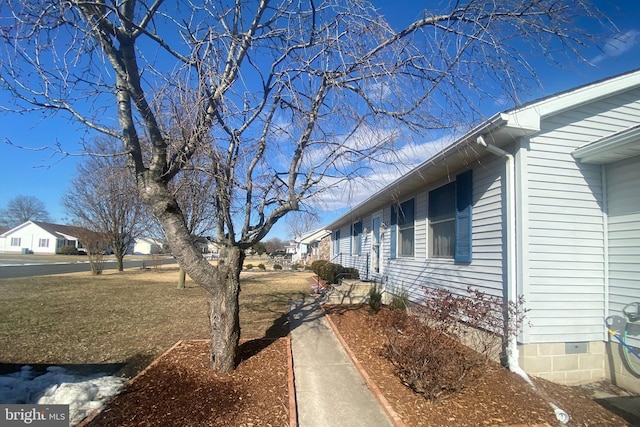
[464,200]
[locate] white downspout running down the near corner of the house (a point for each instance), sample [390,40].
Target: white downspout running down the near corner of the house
[512,290]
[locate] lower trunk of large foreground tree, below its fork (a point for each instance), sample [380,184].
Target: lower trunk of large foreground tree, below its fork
[223,310]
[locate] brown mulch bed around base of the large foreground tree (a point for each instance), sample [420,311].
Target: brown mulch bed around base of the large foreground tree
[180,389]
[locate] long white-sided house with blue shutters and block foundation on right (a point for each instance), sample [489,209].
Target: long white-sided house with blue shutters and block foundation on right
[541,201]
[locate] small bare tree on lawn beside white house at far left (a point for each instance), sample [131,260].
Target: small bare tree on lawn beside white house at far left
[103,198]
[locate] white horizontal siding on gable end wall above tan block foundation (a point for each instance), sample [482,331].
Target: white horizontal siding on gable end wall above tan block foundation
[565,276]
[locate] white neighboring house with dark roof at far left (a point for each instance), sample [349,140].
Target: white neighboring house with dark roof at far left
[40,238]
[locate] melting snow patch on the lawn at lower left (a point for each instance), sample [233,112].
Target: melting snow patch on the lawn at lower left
[83,394]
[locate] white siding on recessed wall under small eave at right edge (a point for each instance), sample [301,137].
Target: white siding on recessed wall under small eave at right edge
[623,191]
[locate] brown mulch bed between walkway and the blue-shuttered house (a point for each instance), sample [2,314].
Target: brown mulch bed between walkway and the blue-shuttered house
[498,398]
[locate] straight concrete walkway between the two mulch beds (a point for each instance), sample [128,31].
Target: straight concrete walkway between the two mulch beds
[329,389]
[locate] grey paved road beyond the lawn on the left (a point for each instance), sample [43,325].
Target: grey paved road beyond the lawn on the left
[11,270]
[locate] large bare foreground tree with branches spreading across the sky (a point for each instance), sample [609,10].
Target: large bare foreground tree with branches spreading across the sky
[285,98]
